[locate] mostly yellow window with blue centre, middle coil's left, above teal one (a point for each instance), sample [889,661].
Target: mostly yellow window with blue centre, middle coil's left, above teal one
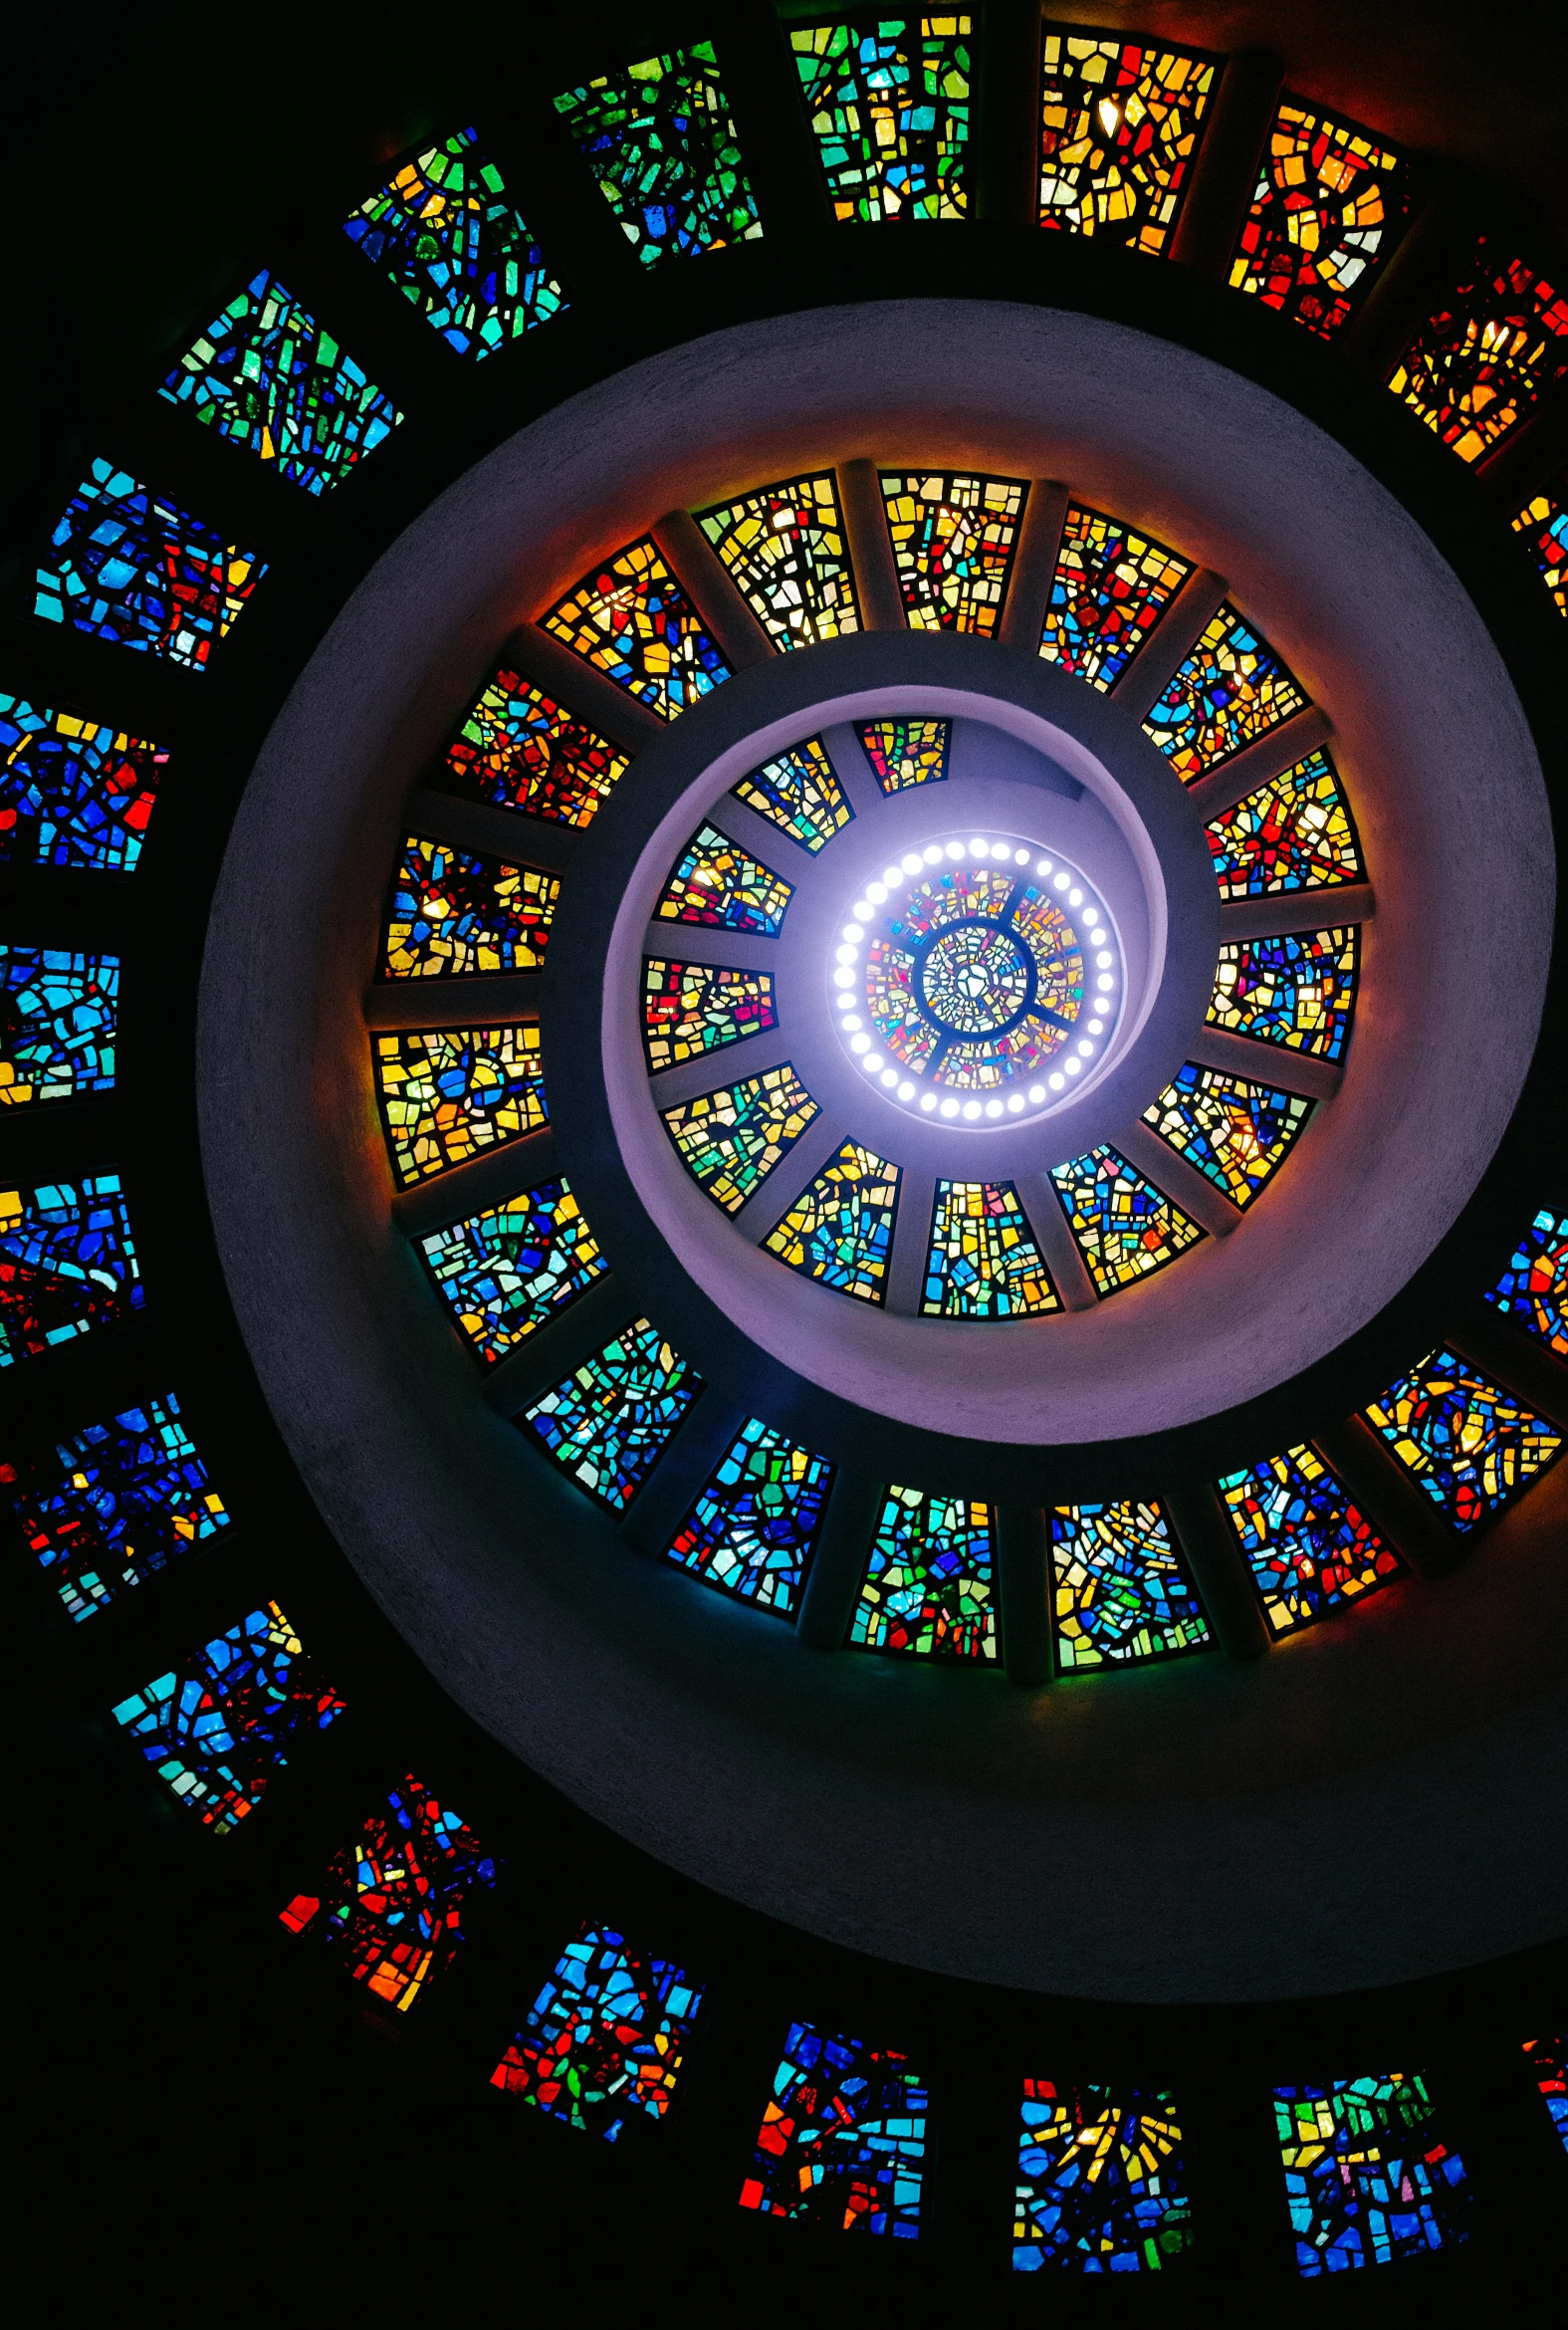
[451,1094]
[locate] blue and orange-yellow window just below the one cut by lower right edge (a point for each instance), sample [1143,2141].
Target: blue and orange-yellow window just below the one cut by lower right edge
[1464,1441]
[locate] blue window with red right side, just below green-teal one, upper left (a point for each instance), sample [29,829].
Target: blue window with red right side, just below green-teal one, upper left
[136,570]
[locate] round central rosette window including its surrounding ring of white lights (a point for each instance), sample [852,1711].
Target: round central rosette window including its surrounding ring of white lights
[977,977]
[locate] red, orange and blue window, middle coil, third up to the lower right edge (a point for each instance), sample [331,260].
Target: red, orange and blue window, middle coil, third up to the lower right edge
[1308,1546]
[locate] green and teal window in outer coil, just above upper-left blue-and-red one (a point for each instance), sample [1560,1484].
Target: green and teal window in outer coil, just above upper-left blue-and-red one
[269,376]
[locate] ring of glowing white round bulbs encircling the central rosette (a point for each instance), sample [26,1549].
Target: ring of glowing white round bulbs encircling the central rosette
[1092,1033]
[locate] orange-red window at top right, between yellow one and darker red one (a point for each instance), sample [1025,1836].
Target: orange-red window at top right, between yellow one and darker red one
[1327,199]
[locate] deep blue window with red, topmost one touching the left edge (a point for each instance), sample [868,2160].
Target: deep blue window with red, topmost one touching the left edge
[73,793]
